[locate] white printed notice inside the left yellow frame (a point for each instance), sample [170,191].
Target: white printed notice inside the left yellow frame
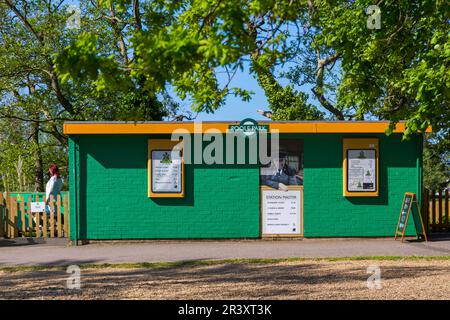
[166,171]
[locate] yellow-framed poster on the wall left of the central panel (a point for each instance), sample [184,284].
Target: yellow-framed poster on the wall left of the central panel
[165,169]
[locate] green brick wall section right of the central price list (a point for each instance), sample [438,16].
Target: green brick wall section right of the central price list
[328,214]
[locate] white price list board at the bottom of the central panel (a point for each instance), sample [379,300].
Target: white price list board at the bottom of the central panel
[281,212]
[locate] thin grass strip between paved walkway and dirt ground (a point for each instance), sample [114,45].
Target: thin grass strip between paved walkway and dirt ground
[189,263]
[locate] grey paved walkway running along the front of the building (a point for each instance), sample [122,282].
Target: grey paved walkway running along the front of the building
[56,252]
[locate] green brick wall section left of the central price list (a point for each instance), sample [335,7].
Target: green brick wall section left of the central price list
[219,202]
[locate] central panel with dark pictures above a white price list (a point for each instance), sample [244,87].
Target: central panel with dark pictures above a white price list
[281,184]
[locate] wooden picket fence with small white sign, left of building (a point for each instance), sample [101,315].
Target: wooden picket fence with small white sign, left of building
[18,220]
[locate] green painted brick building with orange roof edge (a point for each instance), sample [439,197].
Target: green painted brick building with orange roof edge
[109,183]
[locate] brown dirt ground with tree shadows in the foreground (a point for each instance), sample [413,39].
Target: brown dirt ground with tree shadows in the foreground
[310,279]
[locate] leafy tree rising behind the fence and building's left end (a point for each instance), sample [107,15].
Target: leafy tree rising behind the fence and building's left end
[31,93]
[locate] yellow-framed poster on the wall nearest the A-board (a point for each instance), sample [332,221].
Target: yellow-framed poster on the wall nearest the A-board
[360,167]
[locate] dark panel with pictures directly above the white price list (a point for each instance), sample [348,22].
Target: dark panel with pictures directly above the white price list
[286,166]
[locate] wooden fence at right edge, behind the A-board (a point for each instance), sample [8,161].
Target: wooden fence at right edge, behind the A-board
[436,204]
